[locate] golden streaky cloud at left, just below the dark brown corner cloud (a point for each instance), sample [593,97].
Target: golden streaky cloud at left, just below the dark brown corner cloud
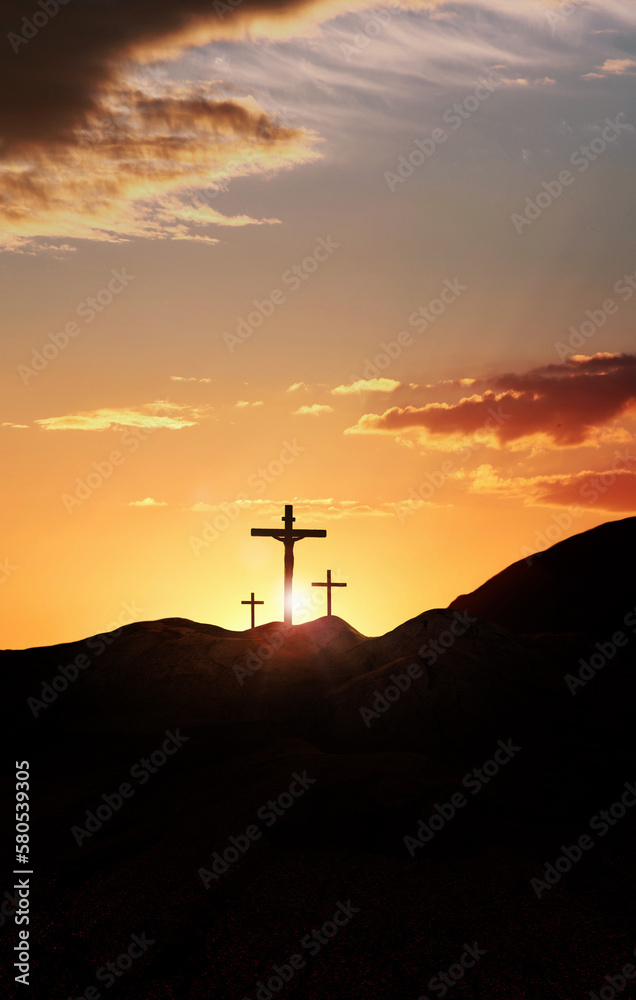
[138,176]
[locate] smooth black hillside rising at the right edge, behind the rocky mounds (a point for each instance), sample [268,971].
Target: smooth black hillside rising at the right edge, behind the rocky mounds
[583,584]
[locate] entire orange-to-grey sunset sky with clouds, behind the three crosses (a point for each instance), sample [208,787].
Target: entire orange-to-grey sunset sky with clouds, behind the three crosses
[378,261]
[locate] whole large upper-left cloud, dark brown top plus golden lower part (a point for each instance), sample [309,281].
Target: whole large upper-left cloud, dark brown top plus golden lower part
[84,155]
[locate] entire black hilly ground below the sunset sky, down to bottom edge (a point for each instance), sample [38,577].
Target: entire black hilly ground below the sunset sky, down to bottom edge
[153,749]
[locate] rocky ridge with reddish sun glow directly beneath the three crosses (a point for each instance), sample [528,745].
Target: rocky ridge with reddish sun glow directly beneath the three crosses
[314,678]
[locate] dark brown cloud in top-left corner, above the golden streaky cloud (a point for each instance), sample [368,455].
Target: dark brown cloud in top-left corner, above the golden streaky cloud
[50,83]
